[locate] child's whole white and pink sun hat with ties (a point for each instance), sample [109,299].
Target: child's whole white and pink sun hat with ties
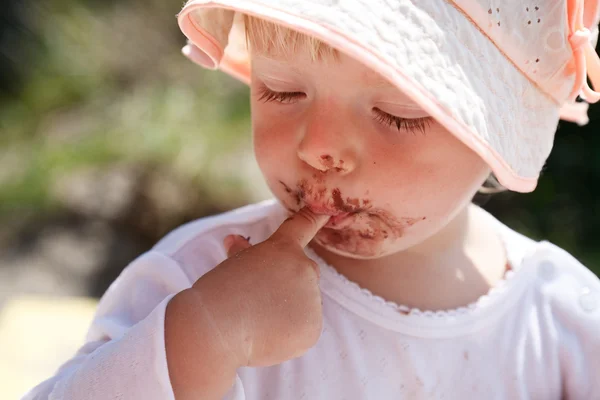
[497,74]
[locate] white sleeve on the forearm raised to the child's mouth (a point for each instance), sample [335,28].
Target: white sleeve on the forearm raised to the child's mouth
[124,355]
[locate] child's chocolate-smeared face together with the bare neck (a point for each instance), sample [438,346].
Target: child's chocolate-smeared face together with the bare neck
[398,190]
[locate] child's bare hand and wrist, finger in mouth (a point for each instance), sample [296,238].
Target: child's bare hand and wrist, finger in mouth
[260,307]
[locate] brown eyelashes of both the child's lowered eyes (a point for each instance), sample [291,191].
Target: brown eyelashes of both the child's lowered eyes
[412,125]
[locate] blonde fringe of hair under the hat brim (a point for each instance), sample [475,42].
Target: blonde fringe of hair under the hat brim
[271,38]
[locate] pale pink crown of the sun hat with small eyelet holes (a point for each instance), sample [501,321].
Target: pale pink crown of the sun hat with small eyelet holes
[540,38]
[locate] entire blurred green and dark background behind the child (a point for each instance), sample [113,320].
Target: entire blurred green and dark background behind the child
[110,138]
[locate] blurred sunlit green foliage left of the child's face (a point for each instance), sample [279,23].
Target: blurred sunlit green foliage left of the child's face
[107,84]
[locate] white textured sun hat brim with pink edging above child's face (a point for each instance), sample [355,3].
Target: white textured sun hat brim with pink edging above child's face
[458,76]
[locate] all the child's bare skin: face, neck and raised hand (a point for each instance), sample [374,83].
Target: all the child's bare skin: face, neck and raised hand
[387,206]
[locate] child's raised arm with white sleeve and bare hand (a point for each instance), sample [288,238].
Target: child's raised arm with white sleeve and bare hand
[237,314]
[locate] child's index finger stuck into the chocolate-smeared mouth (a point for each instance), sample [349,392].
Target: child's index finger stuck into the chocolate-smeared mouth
[302,226]
